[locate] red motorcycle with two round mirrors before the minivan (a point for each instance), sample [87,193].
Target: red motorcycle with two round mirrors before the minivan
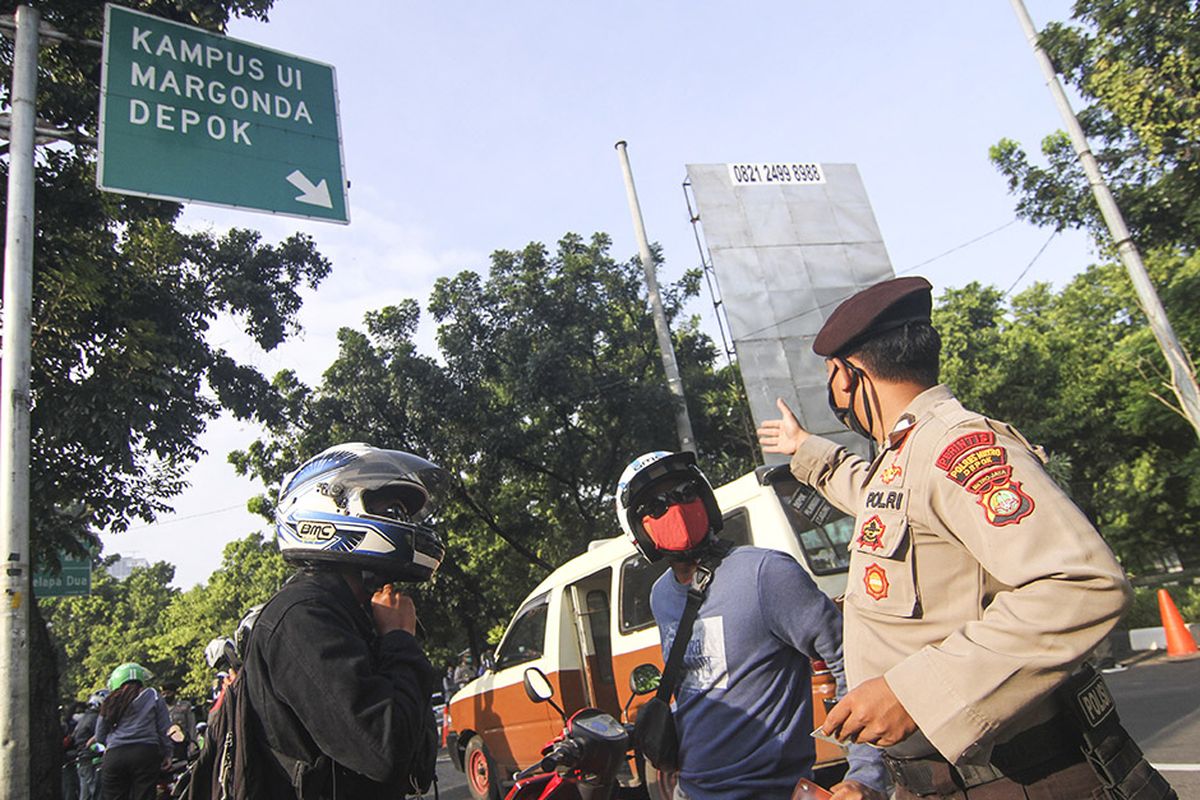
[584,761]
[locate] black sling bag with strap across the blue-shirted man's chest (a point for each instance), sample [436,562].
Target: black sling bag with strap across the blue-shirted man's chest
[655,731]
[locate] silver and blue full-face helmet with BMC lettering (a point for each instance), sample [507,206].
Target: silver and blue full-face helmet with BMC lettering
[357,506]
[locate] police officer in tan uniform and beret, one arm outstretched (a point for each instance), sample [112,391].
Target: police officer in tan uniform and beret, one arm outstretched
[976,586]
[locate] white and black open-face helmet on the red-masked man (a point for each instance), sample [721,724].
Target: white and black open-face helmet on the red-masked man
[640,488]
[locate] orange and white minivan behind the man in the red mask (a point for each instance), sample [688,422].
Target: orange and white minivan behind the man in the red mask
[589,624]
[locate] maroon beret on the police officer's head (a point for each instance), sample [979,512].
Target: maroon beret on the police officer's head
[873,311]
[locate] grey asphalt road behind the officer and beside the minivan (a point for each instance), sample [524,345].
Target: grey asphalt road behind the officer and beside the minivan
[1159,702]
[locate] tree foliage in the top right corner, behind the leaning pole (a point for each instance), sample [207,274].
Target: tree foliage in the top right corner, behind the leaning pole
[1137,67]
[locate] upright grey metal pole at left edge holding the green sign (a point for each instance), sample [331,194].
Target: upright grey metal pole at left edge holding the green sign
[15,405]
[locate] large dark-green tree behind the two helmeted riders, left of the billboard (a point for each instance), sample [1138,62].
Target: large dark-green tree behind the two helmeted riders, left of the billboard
[549,383]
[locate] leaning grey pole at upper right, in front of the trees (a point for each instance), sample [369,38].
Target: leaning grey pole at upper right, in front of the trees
[1184,381]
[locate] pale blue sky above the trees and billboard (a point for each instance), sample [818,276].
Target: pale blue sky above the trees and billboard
[471,128]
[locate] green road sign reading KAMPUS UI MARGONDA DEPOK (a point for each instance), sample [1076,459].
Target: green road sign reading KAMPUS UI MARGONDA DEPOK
[191,116]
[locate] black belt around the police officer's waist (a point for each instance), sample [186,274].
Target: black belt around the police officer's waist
[1054,744]
